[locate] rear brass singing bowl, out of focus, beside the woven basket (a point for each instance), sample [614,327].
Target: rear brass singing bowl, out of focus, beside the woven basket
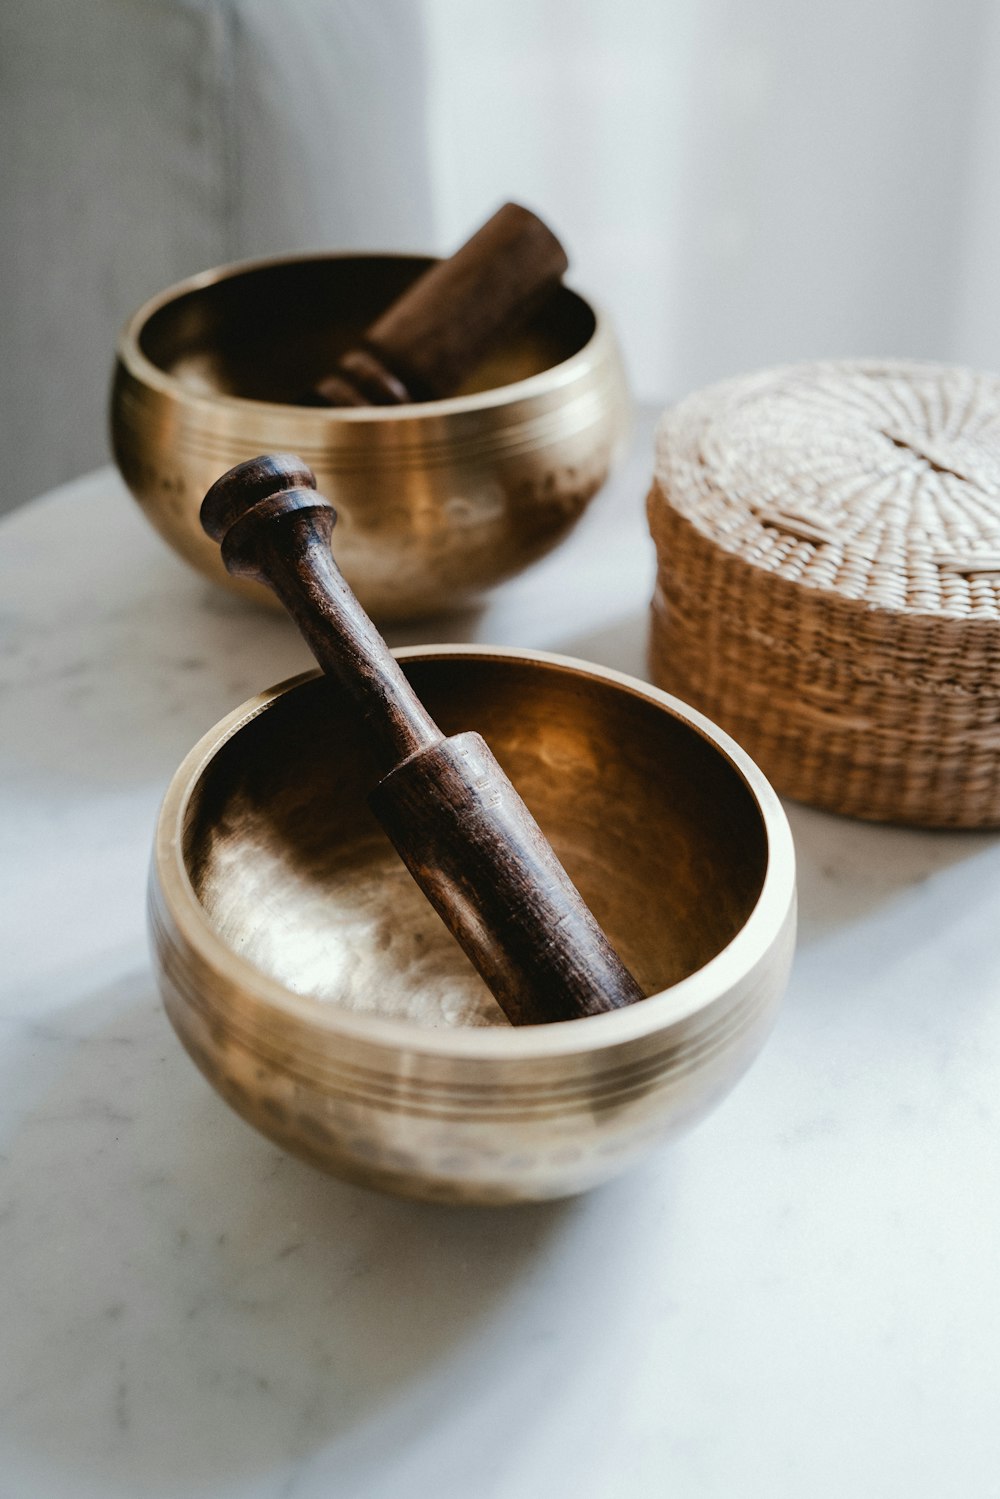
[437,501]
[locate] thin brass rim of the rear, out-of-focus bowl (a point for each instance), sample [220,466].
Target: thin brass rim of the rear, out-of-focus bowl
[133,359]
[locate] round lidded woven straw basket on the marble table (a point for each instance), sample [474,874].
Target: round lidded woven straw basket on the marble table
[828,542]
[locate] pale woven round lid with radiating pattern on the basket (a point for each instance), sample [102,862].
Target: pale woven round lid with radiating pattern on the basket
[876,480]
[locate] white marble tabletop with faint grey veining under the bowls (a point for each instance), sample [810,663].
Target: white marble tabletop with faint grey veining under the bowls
[801,1299]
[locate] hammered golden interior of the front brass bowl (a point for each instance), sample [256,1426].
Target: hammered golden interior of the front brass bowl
[659,830]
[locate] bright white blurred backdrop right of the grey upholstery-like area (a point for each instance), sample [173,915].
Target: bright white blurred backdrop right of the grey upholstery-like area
[743,182]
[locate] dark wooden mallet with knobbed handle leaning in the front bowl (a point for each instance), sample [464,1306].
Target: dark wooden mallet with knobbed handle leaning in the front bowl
[457,821]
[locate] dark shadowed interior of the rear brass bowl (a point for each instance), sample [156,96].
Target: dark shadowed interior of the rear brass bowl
[269,332]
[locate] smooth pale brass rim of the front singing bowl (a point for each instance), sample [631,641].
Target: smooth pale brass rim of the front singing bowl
[698,992]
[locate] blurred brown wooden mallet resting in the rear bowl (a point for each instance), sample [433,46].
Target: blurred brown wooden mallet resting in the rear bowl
[431,338]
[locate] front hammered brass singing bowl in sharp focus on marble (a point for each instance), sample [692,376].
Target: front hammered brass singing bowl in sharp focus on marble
[326,1002]
